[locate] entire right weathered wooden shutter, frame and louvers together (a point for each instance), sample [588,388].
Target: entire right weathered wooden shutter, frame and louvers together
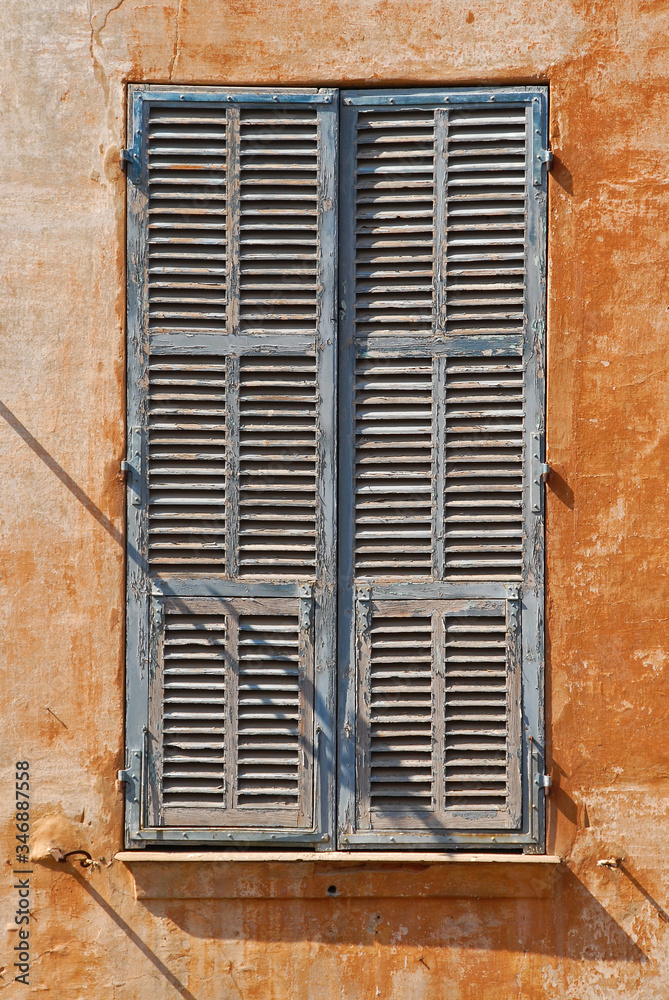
[441,430]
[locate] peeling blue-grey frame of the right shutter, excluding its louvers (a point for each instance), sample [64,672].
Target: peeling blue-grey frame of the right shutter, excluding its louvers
[525,821]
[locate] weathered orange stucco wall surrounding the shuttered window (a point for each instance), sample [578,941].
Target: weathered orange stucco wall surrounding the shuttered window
[598,933]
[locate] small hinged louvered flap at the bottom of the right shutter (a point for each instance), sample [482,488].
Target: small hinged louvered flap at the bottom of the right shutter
[439,674]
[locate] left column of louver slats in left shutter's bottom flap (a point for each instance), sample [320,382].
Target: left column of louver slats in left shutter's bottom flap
[195,670]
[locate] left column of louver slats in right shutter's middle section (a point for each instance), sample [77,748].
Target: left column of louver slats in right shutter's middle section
[393,467]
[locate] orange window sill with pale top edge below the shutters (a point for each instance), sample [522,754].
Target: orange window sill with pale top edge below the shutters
[295,875]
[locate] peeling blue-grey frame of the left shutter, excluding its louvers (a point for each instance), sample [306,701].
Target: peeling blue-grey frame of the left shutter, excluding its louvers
[145,816]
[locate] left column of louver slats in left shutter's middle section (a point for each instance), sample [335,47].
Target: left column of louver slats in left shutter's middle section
[186,465]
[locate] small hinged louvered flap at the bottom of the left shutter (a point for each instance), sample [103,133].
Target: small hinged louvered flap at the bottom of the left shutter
[231,707]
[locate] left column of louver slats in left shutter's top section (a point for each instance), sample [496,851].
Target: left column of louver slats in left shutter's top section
[187,219]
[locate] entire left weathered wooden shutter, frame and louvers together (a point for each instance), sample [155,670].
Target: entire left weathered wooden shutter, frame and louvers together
[231,345]
